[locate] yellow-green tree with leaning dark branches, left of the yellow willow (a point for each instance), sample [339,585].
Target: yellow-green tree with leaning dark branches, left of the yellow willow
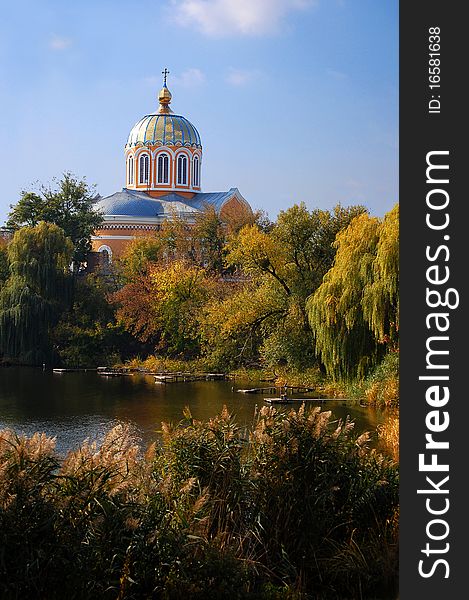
[265,320]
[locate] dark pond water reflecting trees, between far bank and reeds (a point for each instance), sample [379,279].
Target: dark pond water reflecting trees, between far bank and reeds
[75,406]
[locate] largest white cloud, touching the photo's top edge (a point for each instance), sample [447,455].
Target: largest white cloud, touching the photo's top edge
[221,18]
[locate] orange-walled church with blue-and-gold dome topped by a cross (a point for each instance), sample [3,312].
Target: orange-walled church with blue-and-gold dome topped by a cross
[163,174]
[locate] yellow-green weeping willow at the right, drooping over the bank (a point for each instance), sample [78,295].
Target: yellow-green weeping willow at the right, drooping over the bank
[354,312]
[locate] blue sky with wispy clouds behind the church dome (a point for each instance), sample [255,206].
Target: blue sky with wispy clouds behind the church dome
[295,100]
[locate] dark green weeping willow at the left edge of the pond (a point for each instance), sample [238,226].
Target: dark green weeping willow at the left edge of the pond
[36,292]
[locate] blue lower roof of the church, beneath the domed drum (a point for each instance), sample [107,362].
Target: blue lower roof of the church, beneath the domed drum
[131,203]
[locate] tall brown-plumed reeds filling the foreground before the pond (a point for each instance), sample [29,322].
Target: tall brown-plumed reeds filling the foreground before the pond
[303,509]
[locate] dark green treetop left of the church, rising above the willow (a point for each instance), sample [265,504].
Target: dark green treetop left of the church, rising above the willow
[70,205]
